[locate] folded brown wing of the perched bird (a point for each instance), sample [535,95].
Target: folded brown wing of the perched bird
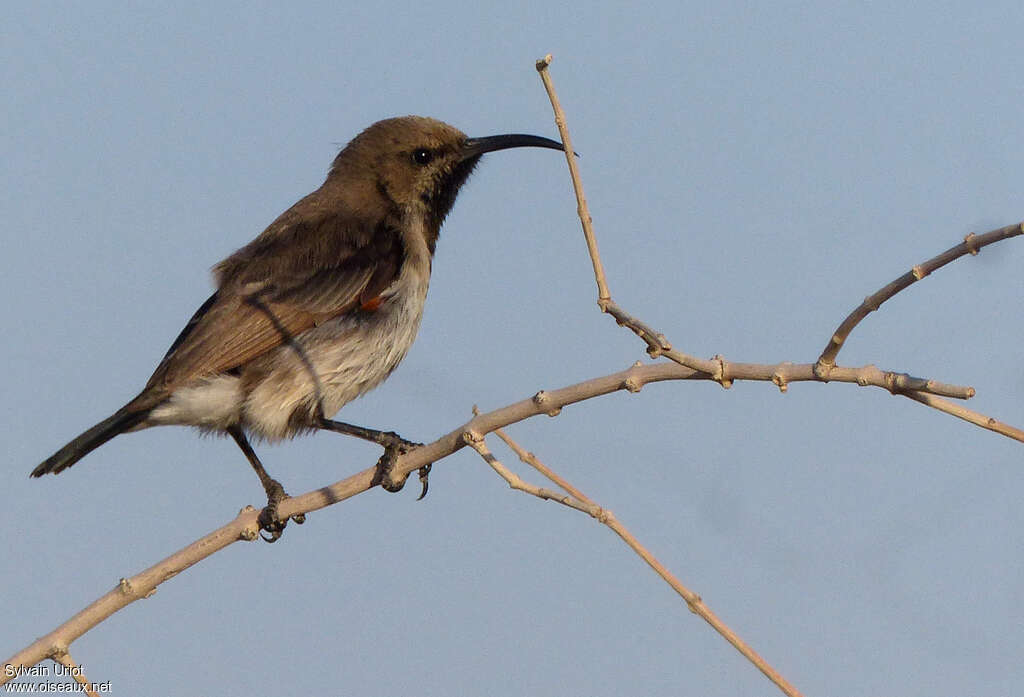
[301,273]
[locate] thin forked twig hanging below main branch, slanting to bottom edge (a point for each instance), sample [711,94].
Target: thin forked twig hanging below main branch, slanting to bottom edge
[607,517]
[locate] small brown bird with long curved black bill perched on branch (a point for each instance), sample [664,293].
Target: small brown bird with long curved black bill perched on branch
[319,310]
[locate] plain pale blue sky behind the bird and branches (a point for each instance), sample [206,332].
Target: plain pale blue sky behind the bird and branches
[754,171]
